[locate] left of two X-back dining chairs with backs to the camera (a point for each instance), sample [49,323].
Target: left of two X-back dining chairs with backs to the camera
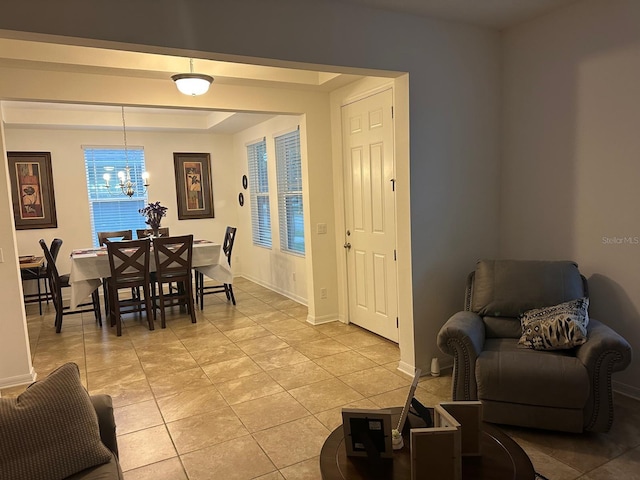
[129,265]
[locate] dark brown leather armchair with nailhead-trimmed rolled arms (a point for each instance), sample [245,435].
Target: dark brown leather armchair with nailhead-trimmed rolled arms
[569,389]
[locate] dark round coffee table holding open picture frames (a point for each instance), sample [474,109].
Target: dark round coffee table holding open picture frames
[502,459]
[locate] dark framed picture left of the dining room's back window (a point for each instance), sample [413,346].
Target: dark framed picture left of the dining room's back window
[34,204]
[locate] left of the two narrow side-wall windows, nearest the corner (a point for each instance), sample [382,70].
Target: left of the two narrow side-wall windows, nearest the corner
[259,182]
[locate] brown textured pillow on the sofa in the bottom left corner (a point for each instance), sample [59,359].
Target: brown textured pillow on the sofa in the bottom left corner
[50,431]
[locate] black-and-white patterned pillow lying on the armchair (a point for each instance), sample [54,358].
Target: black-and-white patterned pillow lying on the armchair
[558,327]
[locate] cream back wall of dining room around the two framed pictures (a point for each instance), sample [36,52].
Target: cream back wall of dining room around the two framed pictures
[74,223]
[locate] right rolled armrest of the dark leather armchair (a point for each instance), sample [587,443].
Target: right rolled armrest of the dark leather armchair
[605,352]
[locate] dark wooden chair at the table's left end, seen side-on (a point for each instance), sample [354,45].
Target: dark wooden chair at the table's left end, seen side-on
[57,282]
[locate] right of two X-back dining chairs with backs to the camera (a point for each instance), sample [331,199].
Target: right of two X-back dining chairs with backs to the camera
[173,257]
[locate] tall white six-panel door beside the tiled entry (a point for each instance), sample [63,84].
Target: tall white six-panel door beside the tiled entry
[367,130]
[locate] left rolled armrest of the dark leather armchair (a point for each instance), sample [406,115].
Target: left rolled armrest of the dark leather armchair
[463,337]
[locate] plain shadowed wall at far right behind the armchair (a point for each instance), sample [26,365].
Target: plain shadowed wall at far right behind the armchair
[570,167]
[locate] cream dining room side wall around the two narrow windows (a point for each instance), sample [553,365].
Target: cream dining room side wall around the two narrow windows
[279,271]
